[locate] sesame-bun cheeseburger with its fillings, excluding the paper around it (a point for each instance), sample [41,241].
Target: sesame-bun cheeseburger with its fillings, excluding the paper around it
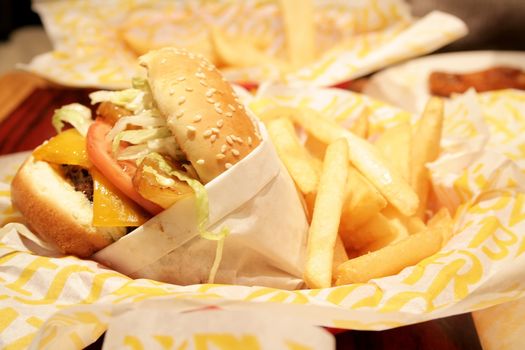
[147,148]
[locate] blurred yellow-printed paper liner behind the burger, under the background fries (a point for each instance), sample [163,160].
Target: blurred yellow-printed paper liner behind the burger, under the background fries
[96,42]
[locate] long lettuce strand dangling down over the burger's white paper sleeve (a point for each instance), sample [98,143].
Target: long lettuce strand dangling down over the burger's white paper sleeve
[202,204]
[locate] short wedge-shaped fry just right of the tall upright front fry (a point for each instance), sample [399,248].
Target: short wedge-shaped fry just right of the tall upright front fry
[362,202]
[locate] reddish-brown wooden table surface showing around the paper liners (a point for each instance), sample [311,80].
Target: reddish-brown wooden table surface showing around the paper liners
[26,106]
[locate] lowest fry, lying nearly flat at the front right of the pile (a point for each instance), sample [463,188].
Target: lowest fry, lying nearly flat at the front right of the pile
[391,259]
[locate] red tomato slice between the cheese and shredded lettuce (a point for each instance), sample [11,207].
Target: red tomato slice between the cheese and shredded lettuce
[119,173]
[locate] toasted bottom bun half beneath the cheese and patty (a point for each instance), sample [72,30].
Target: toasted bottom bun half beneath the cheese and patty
[56,212]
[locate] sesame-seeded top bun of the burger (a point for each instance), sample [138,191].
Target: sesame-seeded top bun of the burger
[203,112]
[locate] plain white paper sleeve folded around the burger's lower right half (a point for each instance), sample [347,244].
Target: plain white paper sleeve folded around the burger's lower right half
[256,200]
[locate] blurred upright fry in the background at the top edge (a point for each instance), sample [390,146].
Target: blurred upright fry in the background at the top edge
[299,30]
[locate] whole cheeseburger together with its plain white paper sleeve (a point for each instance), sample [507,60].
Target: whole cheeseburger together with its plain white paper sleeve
[173,180]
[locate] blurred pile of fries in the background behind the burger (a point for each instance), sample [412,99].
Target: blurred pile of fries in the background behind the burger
[223,48]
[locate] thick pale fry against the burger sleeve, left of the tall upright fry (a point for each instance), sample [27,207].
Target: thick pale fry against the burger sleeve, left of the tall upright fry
[300,164]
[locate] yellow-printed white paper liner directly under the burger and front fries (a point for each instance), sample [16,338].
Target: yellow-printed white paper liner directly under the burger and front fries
[480,173]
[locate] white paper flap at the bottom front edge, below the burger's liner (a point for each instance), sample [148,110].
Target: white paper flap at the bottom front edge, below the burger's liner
[181,325]
